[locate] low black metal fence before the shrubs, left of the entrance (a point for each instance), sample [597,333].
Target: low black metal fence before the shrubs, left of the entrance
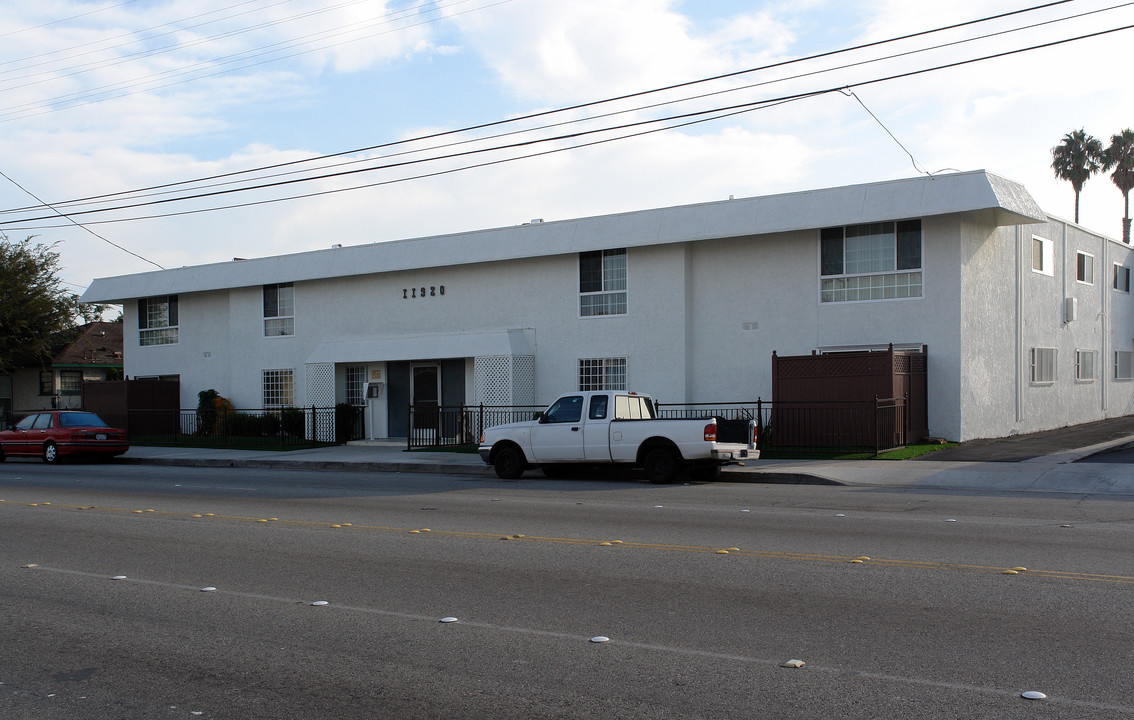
[278,429]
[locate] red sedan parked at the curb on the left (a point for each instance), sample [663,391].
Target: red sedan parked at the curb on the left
[55,435]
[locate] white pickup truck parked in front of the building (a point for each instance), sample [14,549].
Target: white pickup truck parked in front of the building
[615,427]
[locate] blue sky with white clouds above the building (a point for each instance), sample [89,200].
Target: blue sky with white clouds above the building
[108,97]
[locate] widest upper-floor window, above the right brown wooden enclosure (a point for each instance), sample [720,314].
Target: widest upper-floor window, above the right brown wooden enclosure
[871,262]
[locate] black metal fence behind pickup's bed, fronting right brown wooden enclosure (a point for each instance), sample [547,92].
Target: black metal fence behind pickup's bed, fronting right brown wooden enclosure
[876,426]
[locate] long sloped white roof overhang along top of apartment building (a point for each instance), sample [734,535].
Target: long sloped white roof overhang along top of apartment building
[915,198]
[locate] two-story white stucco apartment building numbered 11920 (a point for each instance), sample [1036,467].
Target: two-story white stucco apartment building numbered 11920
[1028,319]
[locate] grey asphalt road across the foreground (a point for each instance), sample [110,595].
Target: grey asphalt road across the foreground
[929,626]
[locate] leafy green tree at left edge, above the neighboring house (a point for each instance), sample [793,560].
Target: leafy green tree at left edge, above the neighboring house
[33,306]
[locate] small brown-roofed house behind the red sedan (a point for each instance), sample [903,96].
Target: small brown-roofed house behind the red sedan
[87,353]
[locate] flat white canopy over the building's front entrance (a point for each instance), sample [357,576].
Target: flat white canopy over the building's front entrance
[439,346]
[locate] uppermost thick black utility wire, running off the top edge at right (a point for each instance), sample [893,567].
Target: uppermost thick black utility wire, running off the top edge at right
[563,111]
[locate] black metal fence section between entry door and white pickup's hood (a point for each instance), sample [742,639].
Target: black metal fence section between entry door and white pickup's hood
[455,426]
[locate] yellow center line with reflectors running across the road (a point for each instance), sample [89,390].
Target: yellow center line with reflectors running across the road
[929,565]
